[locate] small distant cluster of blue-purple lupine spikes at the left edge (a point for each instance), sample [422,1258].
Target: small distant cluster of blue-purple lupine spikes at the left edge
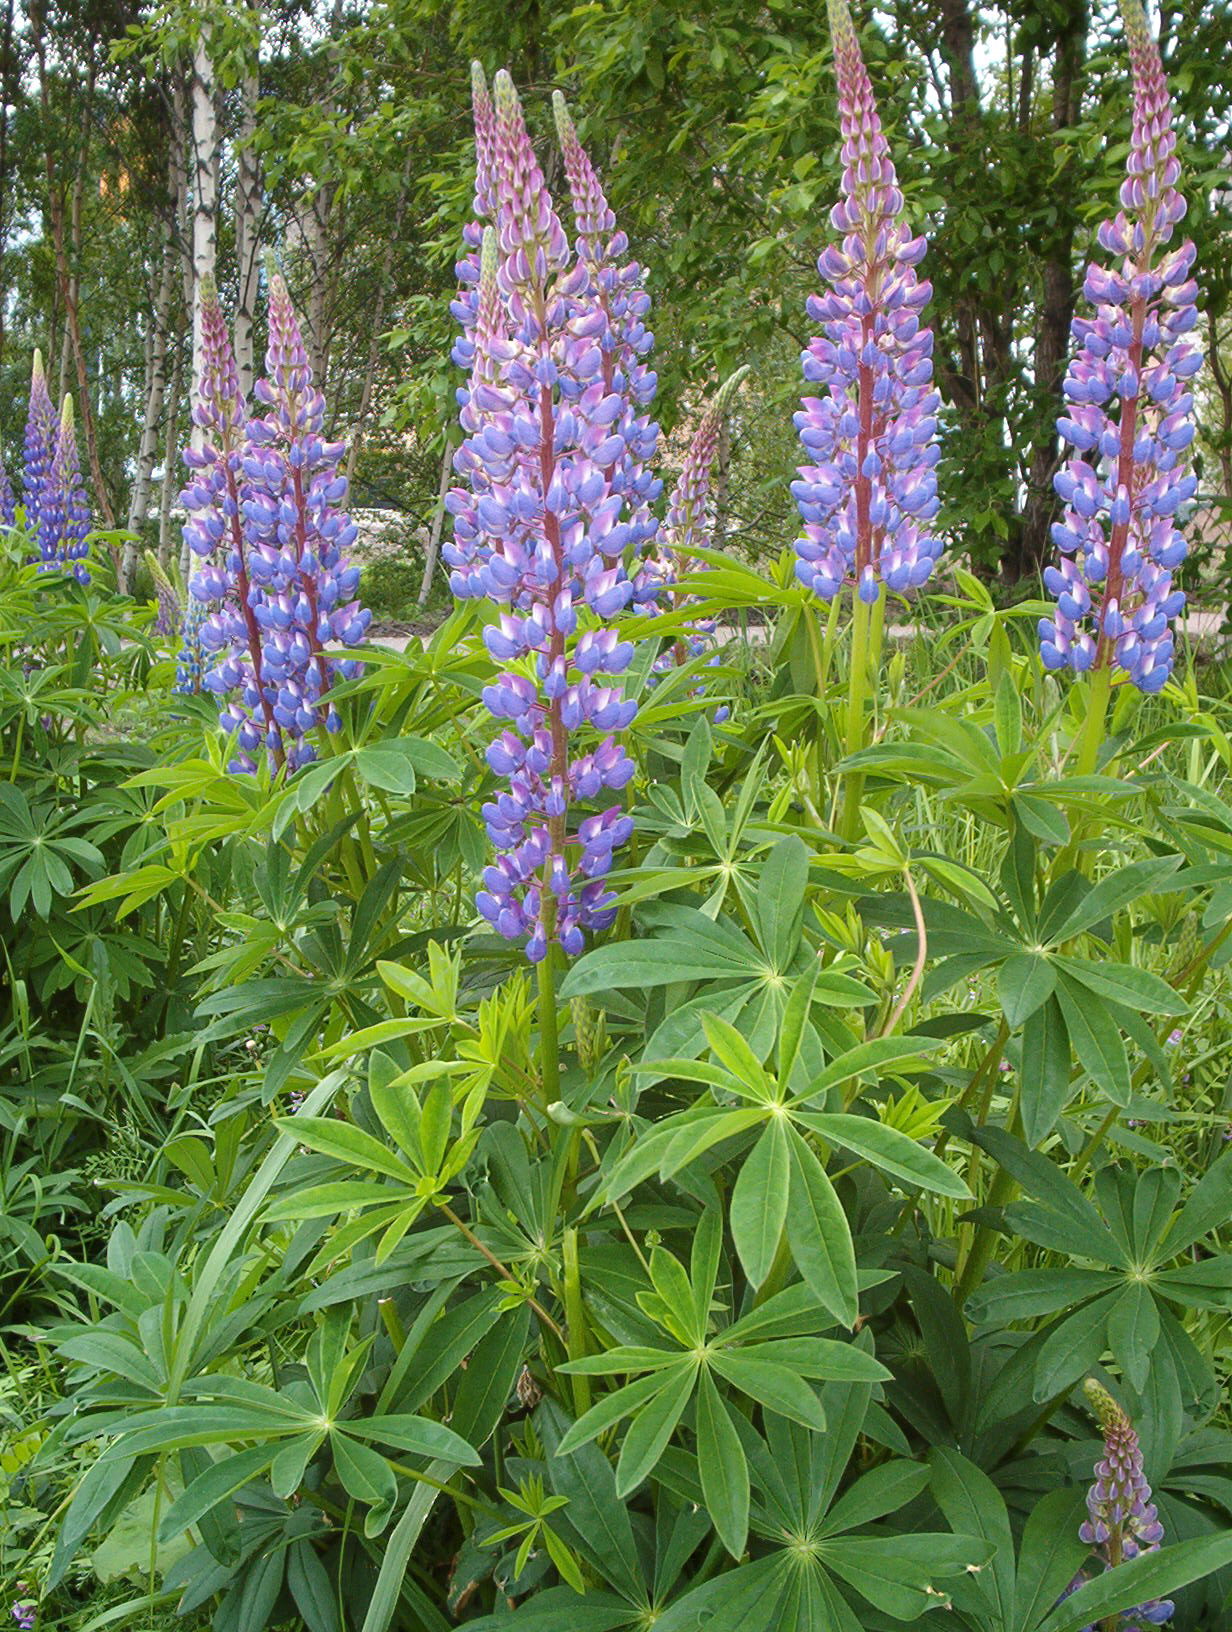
[55,503]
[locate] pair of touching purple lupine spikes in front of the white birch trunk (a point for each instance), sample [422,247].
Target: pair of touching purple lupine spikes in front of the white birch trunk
[267,528]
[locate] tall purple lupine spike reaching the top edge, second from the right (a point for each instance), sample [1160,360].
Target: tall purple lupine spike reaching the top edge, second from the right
[869,495]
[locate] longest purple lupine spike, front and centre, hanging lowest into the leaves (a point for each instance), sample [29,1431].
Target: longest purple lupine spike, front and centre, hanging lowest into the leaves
[541,528]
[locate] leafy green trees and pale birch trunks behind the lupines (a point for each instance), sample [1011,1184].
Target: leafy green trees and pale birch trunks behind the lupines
[339,136]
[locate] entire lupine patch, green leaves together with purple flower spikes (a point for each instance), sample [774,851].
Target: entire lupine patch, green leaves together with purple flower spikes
[756,1267]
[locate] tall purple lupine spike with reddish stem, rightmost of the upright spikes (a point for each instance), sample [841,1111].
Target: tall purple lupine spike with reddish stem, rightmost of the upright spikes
[1130,415]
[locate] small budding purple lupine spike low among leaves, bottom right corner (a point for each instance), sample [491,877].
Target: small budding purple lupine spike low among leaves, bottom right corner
[1122,1520]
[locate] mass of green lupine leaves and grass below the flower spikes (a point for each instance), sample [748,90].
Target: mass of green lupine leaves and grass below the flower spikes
[751,1284]
